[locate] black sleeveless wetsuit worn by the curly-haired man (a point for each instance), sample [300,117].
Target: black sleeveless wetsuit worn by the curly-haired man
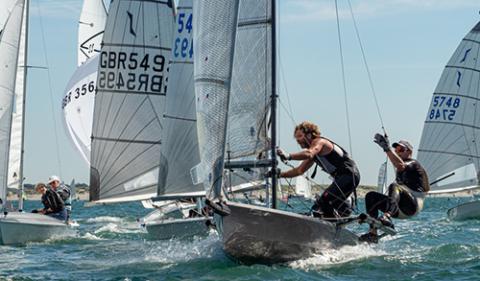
[334,200]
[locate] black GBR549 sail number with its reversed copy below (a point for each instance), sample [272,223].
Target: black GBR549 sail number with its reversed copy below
[133,71]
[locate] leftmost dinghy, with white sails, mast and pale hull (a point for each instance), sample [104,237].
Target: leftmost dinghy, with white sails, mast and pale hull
[16,227]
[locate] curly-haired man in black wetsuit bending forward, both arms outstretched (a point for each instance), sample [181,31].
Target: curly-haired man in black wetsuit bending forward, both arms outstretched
[335,200]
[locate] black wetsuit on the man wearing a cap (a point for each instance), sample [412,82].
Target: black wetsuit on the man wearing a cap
[405,195]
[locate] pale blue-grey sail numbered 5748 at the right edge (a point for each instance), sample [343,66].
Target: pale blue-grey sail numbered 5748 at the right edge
[450,146]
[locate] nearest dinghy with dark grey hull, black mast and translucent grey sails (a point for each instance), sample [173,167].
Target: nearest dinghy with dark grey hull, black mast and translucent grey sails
[235,72]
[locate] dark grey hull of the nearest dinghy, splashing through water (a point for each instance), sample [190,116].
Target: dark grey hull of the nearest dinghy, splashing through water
[253,234]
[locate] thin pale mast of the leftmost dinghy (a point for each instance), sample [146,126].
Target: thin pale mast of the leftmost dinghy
[20,174]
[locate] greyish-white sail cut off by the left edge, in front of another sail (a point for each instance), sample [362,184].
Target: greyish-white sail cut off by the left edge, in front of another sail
[11,31]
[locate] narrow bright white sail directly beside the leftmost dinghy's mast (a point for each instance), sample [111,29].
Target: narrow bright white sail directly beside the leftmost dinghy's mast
[15,173]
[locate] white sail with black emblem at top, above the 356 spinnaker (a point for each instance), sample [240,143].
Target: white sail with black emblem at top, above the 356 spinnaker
[90,29]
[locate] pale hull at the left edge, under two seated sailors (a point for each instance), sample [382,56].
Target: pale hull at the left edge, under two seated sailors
[20,228]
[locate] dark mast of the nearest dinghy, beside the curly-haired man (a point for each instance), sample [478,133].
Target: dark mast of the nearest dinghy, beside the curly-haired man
[273,111]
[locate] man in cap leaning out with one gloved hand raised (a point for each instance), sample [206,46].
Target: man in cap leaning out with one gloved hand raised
[405,195]
